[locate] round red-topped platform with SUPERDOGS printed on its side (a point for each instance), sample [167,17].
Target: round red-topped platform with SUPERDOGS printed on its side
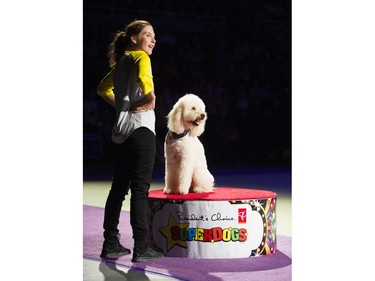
[226,223]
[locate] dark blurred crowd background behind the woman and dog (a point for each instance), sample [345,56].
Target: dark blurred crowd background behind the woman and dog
[235,55]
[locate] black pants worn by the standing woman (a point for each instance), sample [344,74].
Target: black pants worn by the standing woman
[134,162]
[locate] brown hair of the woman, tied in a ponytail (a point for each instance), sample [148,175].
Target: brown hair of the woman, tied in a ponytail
[121,40]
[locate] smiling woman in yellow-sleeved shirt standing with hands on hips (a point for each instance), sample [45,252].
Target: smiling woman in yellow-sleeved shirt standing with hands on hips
[129,88]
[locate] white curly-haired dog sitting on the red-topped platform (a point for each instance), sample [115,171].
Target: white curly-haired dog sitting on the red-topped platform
[186,166]
